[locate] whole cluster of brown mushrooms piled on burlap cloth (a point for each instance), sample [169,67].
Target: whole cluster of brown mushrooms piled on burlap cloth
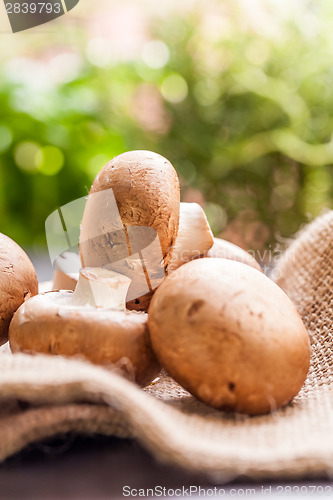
[157,289]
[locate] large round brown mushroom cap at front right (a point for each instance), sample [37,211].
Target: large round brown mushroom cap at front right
[230,336]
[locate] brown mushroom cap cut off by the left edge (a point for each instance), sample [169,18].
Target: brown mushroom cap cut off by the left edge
[18,282]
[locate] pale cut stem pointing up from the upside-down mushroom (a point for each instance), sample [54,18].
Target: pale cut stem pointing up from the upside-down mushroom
[101,288]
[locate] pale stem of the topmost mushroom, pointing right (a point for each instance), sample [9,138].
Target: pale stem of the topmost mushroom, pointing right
[195,236]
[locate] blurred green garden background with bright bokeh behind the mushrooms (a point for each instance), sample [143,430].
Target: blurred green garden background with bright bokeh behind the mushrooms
[237,94]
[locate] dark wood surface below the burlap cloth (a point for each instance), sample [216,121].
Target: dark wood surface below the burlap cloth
[97,468]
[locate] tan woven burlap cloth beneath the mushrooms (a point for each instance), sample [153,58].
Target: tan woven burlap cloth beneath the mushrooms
[42,396]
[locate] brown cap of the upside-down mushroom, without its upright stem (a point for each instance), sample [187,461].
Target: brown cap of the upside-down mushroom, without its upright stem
[108,338]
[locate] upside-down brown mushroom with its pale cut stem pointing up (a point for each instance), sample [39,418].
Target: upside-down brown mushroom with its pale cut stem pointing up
[91,322]
